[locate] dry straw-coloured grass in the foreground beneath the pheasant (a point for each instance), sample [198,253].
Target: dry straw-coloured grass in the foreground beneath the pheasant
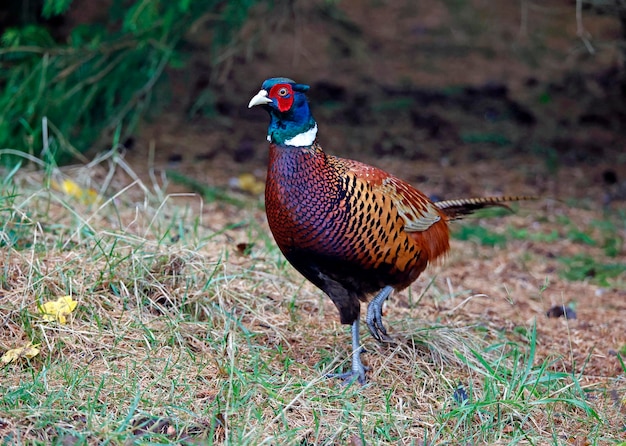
[182,334]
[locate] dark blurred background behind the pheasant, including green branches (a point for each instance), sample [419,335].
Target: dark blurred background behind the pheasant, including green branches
[444,84]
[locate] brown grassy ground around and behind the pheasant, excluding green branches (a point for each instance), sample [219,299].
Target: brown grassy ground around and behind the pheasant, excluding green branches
[461,101]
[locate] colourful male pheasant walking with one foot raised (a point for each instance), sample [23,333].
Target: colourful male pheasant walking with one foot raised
[351,229]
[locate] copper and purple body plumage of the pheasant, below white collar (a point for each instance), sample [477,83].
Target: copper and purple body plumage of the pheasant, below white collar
[334,222]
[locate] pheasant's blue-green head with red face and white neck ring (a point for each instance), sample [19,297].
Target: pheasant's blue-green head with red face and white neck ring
[291,122]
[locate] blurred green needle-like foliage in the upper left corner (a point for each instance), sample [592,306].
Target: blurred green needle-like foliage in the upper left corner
[60,96]
